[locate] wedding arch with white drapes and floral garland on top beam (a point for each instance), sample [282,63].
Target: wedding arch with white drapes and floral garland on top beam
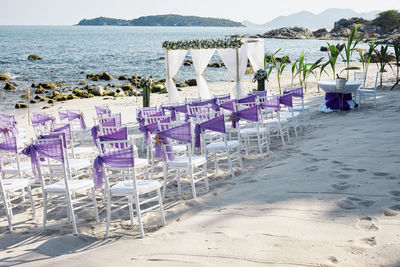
[233,52]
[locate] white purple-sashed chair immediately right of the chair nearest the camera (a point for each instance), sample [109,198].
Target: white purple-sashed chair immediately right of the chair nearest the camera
[183,165]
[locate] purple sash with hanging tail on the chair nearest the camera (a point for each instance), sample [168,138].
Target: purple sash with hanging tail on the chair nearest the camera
[122,158]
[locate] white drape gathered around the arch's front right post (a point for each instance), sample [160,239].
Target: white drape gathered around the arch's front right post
[236,62]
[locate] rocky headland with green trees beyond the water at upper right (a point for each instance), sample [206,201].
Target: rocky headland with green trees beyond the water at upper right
[340,31]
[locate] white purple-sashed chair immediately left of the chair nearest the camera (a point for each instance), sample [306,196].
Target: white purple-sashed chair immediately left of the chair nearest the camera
[66,190]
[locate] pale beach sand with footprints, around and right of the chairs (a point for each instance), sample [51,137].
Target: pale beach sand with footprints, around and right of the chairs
[331,198]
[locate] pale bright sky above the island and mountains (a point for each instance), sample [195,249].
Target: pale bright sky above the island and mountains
[69,12]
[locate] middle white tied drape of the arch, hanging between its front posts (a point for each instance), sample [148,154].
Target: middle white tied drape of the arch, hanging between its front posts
[200,58]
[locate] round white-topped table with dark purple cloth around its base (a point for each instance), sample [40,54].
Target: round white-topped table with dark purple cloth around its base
[338,99]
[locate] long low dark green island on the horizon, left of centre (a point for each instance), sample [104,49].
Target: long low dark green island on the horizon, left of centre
[162,20]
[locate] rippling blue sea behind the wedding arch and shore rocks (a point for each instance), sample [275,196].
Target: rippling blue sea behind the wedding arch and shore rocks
[71,52]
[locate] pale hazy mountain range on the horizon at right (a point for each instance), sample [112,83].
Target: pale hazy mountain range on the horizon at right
[313,21]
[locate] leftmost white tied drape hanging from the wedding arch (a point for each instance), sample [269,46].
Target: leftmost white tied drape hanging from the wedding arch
[174,59]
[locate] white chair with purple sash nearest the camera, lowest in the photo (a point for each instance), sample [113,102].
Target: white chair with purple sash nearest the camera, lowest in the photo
[129,191]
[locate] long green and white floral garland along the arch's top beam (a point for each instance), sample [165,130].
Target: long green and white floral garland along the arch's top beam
[202,44]
